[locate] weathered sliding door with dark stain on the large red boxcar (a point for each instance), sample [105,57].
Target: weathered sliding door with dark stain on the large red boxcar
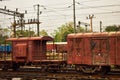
[99,49]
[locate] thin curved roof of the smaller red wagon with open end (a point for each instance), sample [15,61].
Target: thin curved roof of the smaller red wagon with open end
[46,38]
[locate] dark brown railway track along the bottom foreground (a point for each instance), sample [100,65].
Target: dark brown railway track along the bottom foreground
[37,75]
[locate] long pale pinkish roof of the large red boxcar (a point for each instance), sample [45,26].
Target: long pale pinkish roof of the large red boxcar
[103,34]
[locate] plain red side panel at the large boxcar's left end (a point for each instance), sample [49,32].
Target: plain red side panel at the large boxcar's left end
[75,51]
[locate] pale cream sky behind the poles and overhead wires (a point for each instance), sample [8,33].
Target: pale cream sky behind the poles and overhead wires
[58,13]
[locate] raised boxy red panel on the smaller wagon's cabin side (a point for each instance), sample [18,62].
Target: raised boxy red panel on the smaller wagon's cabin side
[19,51]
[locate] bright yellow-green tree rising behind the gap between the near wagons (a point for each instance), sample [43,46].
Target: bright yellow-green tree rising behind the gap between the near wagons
[60,35]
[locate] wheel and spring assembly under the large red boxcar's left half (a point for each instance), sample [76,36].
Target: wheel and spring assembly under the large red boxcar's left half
[88,69]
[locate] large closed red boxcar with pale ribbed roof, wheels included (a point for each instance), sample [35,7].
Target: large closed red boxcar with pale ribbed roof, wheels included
[93,51]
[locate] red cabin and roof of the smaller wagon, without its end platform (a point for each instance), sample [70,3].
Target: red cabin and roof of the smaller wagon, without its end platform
[28,50]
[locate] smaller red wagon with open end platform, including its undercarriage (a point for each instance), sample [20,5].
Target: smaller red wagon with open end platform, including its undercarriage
[31,51]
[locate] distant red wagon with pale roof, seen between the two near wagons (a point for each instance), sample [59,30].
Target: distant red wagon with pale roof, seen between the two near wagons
[58,50]
